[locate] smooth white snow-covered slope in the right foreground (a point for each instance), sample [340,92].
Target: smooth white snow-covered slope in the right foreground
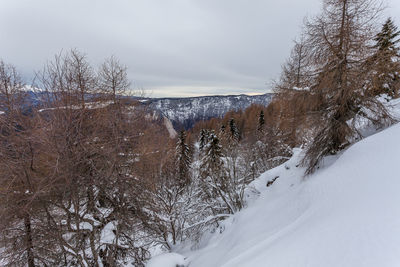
[346,214]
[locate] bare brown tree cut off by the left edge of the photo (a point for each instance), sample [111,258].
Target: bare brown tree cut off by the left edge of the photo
[26,177]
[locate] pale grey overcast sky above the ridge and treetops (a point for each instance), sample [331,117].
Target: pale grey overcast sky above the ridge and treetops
[171,47]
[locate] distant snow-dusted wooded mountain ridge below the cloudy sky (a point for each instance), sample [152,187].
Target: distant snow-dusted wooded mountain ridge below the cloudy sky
[185,112]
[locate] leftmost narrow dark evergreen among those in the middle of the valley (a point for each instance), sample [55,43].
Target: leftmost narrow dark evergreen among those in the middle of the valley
[183,160]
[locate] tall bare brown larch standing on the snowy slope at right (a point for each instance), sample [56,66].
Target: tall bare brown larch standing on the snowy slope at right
[339,41]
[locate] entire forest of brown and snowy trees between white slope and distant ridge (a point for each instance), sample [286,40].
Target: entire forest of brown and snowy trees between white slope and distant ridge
[89,178]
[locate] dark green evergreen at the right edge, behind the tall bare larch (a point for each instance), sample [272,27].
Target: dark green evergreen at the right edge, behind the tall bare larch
[386,71]
